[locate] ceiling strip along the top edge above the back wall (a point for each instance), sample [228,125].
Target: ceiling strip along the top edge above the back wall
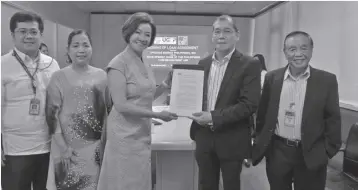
[233,8]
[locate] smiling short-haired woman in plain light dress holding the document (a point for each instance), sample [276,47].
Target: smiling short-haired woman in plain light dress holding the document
[127,157]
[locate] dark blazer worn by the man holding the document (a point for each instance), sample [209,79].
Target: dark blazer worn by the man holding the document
[237,100]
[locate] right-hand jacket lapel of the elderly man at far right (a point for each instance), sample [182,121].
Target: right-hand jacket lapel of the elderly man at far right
[310,94]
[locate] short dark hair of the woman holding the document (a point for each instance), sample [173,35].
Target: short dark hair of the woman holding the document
[132,23]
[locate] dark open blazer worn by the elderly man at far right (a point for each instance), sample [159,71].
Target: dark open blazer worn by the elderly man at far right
[321,119]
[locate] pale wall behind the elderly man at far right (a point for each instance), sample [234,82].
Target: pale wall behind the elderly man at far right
[333,27]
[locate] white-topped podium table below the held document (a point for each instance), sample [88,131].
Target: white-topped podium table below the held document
[176,168]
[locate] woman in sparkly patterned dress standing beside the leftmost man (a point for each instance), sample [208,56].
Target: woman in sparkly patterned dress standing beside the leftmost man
[76,115]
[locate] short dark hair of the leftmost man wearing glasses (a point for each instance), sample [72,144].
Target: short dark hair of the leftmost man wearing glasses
[25,16]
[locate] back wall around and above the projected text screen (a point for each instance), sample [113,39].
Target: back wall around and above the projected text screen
[108,42]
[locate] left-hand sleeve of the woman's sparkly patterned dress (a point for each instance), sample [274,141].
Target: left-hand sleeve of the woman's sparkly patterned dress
[53,102]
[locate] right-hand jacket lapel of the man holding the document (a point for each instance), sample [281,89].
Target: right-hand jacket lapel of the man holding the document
[231,68]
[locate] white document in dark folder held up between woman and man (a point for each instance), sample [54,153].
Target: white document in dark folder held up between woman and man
[186,95]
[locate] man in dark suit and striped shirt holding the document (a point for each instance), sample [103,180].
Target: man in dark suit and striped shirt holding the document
[231,95]
